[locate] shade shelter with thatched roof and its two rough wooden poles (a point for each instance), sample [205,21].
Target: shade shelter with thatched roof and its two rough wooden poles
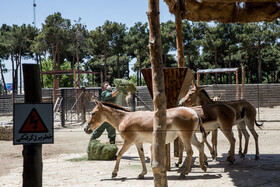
[225,11]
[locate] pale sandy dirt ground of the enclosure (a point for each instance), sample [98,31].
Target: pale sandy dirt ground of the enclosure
[65,164]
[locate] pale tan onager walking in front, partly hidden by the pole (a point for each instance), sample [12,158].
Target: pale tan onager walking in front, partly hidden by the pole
[137,128]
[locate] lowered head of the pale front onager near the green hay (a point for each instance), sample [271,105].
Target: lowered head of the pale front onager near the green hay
[96,119]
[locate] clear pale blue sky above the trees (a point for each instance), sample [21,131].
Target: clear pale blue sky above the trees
[93,13]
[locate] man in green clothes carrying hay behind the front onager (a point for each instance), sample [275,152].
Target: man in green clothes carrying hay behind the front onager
[108,95]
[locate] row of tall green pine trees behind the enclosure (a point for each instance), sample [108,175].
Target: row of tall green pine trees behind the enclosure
[109,49]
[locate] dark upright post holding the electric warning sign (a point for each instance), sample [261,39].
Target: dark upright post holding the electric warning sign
[32,154]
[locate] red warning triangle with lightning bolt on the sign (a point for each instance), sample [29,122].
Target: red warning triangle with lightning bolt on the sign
[33,123]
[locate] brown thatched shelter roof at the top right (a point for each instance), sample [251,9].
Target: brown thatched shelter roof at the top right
[226,11]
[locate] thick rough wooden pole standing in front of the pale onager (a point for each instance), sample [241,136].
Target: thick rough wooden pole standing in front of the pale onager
[159,99]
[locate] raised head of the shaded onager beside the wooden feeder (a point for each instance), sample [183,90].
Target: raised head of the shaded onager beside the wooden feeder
[192,98]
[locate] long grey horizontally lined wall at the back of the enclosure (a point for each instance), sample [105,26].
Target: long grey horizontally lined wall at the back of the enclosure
[262,95]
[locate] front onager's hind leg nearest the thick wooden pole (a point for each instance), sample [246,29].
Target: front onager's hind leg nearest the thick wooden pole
[186,138]
